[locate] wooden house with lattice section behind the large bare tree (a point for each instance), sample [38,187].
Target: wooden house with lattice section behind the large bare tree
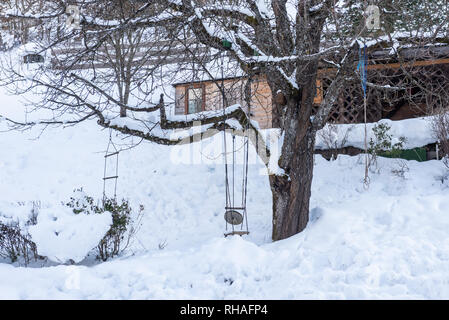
[399,98]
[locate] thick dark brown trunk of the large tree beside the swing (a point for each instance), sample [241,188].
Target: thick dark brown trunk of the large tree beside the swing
[291,192]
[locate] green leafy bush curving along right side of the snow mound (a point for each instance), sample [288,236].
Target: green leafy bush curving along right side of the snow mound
[122,228]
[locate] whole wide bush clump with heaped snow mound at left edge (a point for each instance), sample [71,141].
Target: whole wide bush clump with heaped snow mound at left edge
[66,232]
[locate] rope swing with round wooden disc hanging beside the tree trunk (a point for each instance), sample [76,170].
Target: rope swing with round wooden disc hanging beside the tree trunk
[235,213]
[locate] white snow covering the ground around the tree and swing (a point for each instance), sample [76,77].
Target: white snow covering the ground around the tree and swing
[390,241]
